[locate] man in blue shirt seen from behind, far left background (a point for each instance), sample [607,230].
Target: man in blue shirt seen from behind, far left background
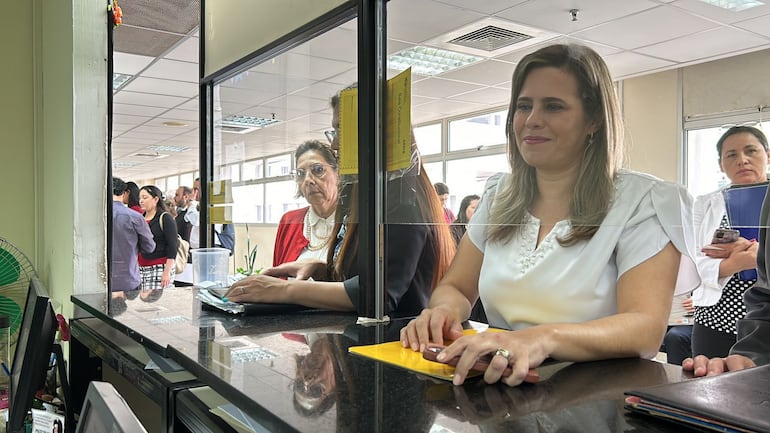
[130,235]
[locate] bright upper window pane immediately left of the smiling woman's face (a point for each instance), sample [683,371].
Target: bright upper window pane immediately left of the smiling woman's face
[478,131]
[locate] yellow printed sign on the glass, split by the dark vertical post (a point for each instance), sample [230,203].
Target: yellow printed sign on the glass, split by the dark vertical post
[398,121]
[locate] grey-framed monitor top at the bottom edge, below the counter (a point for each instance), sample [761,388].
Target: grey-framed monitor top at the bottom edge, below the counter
[104,410]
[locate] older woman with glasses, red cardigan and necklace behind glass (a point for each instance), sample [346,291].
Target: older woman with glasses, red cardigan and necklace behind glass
[304,233]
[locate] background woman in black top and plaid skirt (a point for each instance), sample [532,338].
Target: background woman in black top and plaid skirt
[157,268]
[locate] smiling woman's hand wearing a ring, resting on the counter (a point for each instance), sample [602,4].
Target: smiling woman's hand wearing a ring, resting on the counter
[525,349]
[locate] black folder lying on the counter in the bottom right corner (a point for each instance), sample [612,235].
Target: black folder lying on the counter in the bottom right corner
[731,402]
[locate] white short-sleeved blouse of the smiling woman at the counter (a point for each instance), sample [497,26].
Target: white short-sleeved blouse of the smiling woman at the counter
[523,284]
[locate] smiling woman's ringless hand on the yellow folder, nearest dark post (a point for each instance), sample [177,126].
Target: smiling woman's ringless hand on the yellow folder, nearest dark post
[433,325]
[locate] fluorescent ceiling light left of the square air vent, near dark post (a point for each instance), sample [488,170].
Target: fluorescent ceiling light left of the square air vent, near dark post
[429,61]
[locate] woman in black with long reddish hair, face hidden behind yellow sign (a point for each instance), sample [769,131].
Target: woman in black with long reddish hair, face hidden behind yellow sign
[420,248]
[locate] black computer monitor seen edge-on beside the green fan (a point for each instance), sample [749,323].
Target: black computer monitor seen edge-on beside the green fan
[33,354]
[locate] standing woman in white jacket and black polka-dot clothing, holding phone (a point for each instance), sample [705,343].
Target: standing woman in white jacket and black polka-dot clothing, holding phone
[743,157]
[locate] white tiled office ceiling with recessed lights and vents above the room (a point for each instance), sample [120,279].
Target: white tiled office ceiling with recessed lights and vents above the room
[157,110]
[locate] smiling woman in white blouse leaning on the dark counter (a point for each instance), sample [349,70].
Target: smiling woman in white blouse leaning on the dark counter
[577,257]
